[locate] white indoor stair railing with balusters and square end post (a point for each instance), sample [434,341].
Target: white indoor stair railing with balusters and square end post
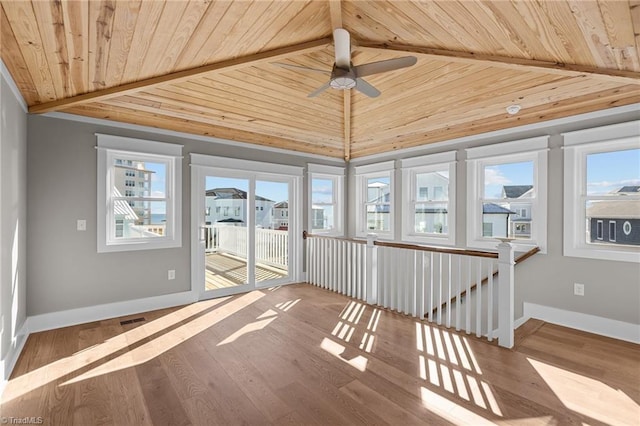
[451,287]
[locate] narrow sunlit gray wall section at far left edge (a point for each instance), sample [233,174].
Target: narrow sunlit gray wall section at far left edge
[13,205]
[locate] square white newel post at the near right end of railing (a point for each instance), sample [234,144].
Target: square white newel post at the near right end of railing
[506,296]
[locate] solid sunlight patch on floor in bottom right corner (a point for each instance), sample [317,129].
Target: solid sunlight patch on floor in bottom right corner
[574,389]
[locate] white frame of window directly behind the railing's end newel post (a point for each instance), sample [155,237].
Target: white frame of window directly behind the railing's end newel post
[524,150]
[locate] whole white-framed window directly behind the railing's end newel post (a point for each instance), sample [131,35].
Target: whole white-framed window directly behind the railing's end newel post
[507,194]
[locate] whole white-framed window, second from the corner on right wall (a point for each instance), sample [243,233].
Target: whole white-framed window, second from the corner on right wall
[428,198]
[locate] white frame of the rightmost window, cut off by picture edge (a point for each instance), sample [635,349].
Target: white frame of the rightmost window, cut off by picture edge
[577,146]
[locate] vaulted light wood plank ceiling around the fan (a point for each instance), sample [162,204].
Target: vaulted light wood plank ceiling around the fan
[207,67]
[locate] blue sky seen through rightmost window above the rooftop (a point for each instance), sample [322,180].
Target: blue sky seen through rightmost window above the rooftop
[614,173]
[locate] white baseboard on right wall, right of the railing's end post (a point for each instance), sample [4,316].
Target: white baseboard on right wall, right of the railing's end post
[585,322]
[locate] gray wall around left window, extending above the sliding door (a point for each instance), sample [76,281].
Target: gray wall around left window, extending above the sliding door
[65,271]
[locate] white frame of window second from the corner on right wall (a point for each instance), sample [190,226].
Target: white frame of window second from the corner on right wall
[410,169]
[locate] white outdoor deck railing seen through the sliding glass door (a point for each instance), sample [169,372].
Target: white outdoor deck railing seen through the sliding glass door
[272,246]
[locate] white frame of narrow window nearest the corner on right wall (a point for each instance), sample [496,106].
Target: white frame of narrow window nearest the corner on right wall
[363,174]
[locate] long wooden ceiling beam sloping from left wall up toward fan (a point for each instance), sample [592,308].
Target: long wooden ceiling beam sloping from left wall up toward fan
[176,77]
